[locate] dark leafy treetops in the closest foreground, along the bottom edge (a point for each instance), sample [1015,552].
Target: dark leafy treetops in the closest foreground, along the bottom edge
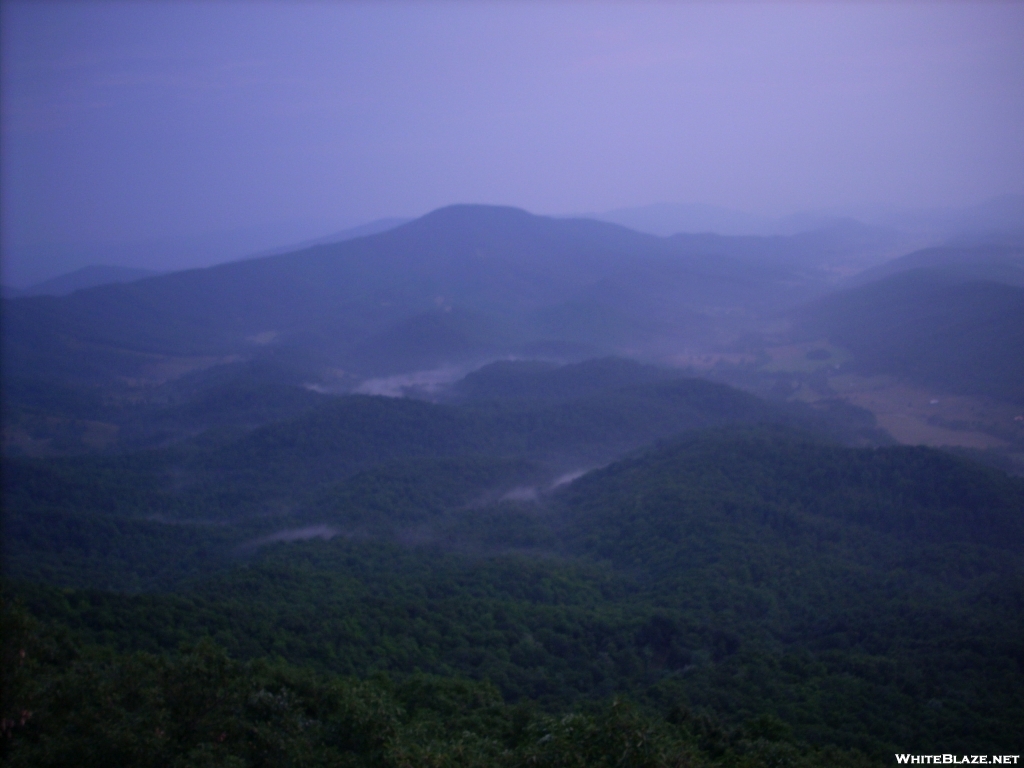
[89,707]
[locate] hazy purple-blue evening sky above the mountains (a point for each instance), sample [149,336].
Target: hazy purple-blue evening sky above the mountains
[157,121]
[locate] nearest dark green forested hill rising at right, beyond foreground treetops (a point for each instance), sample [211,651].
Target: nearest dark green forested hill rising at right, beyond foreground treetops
[865,599]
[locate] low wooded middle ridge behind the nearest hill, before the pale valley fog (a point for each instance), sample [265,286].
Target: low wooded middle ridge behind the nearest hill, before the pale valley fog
[339,463]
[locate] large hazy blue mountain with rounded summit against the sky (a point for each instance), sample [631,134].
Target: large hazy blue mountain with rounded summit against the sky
[461,284]
